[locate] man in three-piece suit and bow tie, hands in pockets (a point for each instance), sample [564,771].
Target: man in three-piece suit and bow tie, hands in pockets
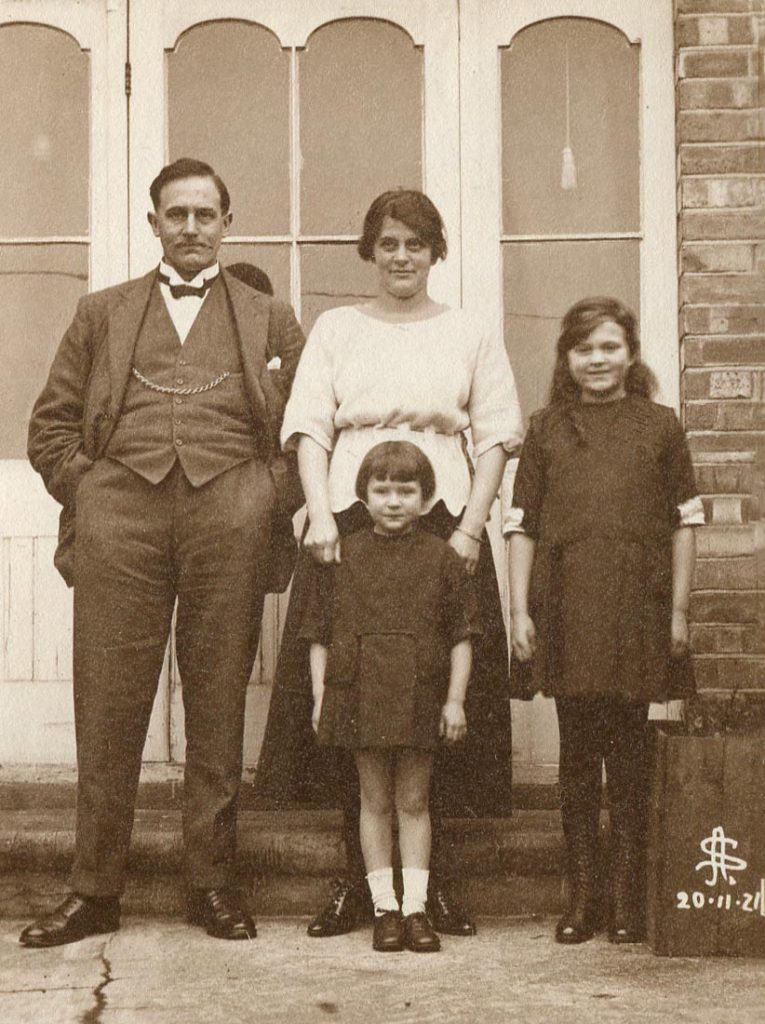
[157,432]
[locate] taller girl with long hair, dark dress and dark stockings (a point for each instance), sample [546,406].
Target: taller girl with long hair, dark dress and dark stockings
[602,560]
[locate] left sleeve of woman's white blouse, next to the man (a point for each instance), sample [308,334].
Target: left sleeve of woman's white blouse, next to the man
[313,402]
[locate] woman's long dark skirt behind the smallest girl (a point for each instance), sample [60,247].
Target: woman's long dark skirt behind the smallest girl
[473,779]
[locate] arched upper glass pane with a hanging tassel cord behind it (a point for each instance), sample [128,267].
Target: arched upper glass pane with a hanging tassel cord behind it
[604,74]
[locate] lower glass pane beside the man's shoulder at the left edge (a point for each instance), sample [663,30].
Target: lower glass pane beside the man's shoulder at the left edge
[39,289]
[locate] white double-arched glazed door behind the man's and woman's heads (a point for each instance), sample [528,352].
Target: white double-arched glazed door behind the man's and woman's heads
[308,110]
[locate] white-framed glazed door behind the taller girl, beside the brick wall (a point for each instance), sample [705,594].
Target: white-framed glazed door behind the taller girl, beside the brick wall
[568,157]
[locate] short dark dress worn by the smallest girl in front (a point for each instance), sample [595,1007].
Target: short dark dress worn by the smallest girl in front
[390,615]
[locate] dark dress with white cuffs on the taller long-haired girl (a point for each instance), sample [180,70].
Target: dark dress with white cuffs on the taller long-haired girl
[602,488]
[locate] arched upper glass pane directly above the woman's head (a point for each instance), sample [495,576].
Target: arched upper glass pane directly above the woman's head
[361,102]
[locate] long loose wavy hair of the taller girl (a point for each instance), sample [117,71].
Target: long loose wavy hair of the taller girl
[578,325]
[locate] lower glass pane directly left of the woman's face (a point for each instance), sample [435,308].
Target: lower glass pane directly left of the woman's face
[333,276]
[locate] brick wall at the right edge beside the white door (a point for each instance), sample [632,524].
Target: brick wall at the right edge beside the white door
[721,160]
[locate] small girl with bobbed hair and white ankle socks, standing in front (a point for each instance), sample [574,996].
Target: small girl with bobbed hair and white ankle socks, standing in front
[391,628]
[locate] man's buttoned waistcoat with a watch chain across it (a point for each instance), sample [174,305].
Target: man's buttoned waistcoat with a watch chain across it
[207,433]
